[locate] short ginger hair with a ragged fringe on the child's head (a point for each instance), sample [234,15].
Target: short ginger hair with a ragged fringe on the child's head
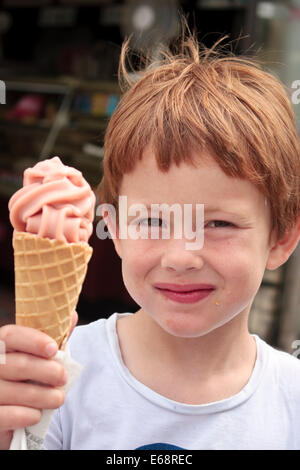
[199,98]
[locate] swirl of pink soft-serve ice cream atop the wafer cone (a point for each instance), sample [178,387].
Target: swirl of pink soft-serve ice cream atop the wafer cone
[55,202]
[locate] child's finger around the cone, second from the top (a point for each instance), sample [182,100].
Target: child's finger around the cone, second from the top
[19,367]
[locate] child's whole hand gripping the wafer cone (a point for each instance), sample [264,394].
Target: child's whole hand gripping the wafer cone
[29,354]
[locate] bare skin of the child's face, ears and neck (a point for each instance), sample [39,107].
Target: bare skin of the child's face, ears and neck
[201,352]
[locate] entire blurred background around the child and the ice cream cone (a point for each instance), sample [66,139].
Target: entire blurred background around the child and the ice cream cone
[58,67]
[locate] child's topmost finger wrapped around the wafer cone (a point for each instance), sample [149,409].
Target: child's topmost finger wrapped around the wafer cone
[29,340]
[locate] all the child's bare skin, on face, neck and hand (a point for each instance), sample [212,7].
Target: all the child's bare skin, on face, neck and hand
[194,354]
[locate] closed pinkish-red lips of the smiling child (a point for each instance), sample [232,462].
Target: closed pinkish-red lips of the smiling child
[185,293]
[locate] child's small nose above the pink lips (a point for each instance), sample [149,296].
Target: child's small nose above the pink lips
[177,258]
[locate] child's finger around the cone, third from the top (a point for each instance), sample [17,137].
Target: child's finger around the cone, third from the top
[30,395]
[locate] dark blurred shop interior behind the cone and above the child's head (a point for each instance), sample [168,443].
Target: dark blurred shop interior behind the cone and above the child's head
[59,62]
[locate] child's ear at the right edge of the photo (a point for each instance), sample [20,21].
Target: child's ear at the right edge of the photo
[282,249]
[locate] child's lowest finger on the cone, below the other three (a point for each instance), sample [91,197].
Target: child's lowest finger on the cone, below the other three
[16,417]
